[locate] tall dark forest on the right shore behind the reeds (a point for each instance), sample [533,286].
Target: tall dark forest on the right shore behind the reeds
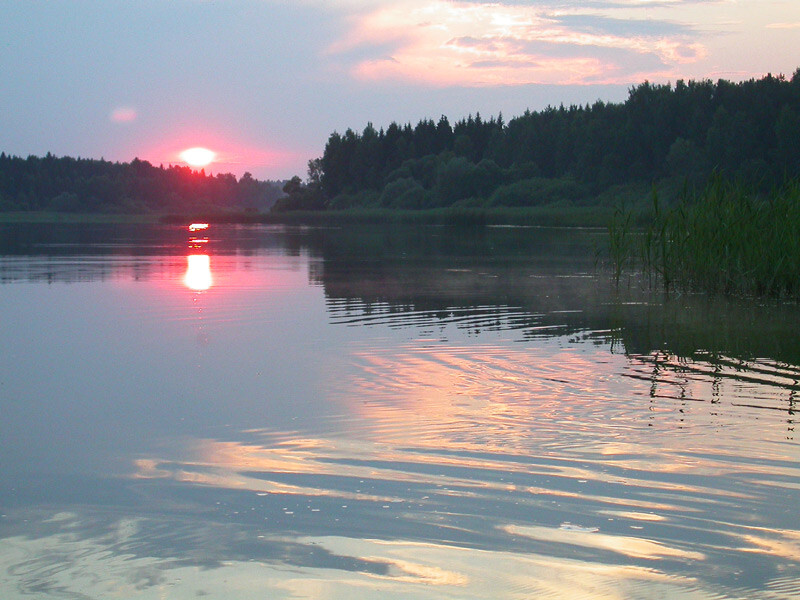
[670,136]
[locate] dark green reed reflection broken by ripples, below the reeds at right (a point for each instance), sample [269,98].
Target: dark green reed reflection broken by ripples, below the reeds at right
[727,352]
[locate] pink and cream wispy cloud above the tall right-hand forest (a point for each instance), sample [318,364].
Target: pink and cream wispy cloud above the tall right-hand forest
[472,43]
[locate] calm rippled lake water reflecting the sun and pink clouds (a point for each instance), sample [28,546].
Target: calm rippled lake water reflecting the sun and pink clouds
[384,413]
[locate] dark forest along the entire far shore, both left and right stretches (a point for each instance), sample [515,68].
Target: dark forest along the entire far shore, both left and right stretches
[668,137]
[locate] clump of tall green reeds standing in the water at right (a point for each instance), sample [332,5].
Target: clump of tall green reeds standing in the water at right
[726,239]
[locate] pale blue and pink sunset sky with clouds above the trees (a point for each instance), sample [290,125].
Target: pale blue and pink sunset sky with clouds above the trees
[263,83]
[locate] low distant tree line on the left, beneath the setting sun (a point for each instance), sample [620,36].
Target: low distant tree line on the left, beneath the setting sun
[65,184]
